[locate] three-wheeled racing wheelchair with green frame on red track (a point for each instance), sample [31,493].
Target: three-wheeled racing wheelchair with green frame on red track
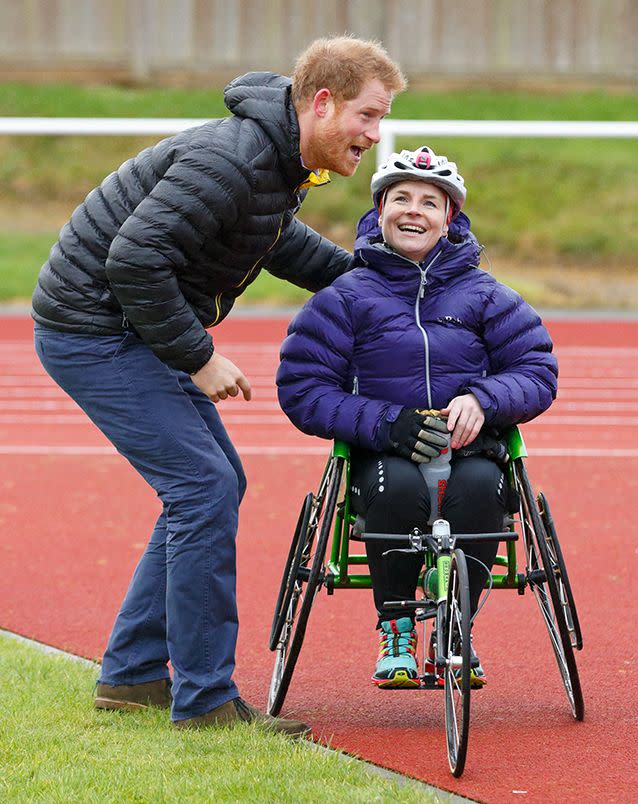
[315,561]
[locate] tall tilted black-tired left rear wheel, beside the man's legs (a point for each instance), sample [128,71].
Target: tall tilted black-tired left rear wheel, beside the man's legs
[306,582]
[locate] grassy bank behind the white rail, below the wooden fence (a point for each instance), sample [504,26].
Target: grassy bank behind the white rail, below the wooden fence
[533,202]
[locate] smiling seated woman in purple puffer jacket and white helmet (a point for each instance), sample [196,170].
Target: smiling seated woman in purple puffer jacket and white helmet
[417,325]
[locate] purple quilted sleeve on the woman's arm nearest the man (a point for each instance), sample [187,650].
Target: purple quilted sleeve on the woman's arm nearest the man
[315,377]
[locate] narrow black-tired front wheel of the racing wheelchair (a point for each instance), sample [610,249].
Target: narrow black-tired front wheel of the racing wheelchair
[456,648]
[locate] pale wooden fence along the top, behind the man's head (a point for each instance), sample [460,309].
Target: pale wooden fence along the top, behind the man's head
[141,40]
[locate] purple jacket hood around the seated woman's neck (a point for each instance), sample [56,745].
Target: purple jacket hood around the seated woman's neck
[459,250]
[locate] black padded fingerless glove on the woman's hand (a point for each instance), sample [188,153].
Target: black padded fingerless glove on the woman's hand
[419,435]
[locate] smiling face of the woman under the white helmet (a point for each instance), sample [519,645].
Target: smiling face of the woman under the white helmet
[413,218]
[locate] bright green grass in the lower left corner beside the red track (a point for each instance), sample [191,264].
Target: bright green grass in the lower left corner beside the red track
[55,747]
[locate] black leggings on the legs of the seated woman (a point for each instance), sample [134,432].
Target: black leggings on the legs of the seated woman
[390,493]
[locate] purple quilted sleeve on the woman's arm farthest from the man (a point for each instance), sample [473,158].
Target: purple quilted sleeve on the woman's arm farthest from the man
[522,381]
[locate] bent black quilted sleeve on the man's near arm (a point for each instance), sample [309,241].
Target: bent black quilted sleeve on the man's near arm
[196,198]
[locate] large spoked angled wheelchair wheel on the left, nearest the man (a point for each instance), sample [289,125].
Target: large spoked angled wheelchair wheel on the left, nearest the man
[303,576]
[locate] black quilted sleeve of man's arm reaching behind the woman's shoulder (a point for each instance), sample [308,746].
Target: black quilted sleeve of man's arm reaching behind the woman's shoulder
[307,259]
